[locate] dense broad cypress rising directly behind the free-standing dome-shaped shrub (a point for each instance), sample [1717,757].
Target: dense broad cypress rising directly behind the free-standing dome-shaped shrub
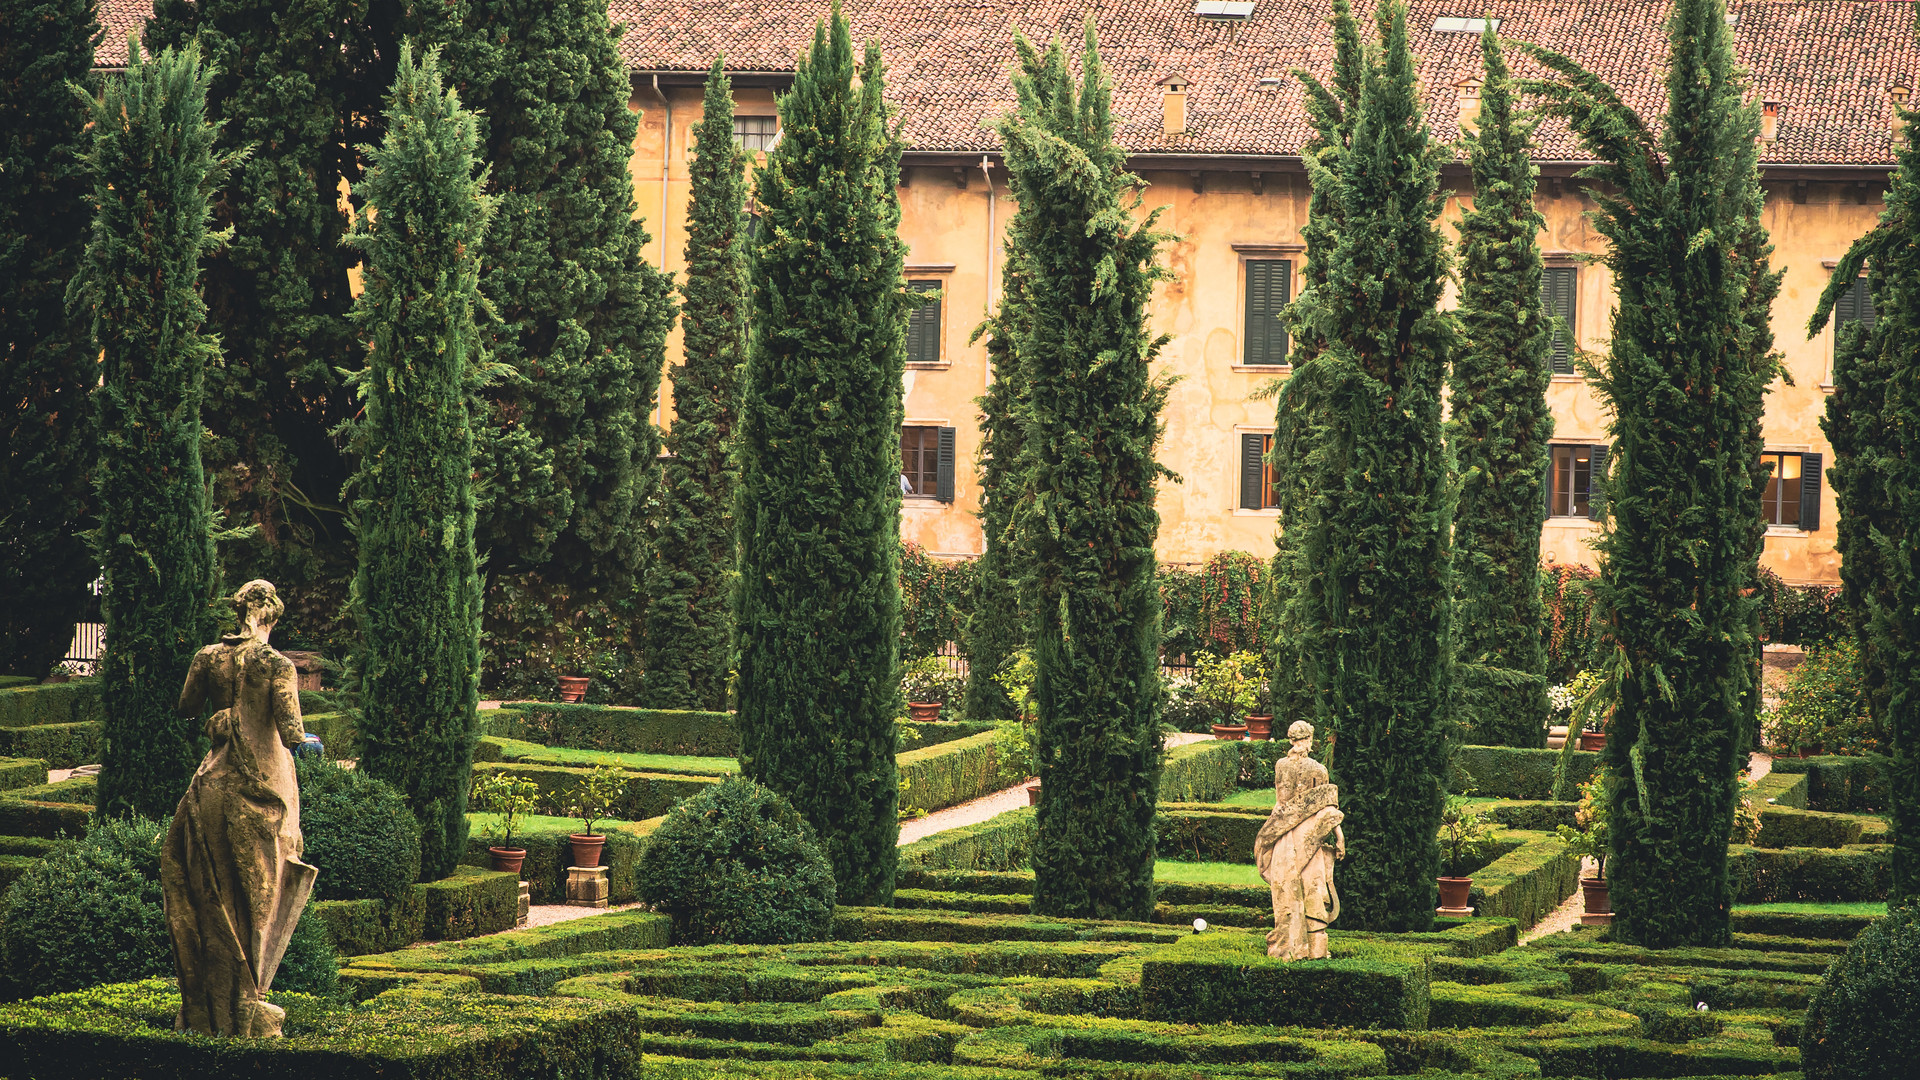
[817,606]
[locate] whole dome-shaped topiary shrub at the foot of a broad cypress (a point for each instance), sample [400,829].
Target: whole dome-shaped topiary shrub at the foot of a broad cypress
[738,864]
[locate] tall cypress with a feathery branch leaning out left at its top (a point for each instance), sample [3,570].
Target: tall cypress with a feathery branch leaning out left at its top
[1685,381]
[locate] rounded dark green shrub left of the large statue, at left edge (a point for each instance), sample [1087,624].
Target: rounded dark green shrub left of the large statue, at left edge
[89,912]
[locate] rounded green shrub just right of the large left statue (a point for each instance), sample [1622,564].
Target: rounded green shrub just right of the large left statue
[358,831]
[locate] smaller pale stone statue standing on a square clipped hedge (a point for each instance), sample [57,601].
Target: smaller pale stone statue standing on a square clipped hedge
[1297,848]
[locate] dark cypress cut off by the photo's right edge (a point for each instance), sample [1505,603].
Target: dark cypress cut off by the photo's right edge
[1877,481]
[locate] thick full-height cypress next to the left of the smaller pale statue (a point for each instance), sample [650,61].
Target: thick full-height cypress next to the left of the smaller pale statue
[1088,522]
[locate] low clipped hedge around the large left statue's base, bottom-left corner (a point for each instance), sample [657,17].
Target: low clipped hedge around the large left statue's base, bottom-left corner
[128,1031]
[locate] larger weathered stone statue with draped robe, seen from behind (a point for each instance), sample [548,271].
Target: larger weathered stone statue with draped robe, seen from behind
[231,871]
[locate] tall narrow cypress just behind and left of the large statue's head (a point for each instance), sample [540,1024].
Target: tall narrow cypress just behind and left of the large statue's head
[155,172]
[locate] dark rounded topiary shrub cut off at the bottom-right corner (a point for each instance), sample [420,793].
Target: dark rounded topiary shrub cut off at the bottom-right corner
[1863,1021]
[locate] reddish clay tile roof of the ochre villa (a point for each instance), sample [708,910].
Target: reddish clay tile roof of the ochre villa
[1829,62]
